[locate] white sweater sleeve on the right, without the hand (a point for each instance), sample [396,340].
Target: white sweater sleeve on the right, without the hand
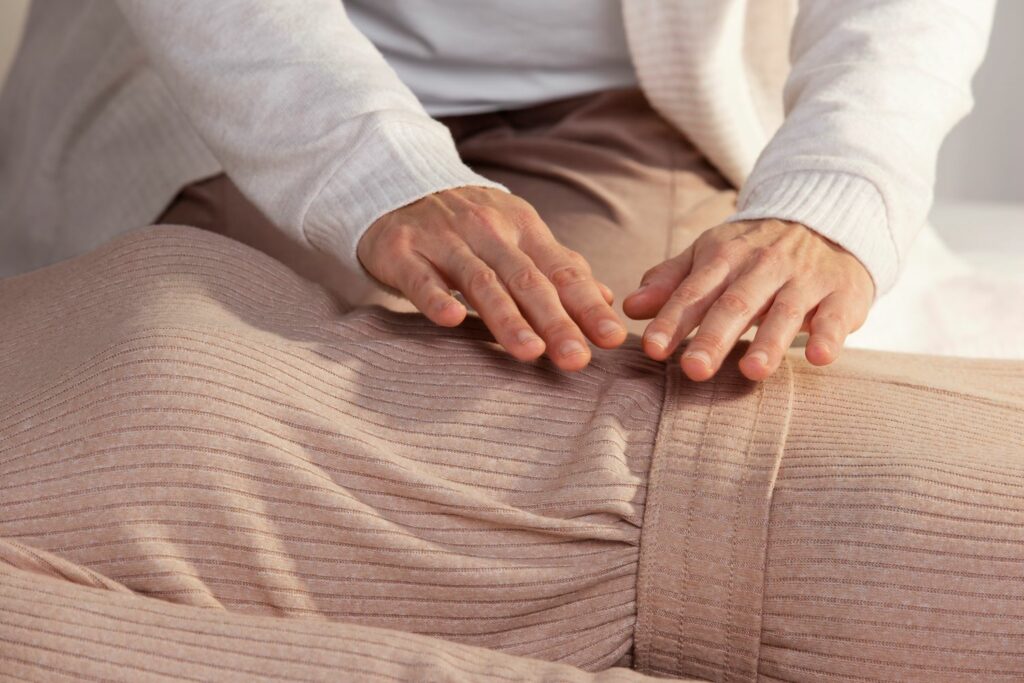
[875,88]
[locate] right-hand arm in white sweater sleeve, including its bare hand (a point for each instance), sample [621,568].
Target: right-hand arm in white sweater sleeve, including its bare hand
[837,197]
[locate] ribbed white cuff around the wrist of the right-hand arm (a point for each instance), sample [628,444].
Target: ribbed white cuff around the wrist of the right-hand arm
[845,208]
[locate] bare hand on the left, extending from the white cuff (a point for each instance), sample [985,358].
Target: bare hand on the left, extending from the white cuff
[533,293]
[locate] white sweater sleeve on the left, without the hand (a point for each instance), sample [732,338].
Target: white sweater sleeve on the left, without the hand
[302,111]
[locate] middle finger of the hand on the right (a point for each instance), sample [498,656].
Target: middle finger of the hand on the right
[728,319]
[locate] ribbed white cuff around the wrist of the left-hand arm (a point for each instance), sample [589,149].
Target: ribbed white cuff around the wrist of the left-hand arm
[394,164]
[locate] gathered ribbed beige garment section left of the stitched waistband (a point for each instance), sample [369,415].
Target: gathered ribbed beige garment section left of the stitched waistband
[188,418]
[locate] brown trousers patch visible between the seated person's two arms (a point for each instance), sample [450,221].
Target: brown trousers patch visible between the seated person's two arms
[611,178]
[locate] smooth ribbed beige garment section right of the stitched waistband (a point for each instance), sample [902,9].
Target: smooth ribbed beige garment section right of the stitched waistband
[897,539]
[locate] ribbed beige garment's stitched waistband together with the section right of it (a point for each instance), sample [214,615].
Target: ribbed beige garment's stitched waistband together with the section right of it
[863,522]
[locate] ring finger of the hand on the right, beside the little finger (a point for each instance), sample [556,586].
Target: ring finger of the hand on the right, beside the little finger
[781,326]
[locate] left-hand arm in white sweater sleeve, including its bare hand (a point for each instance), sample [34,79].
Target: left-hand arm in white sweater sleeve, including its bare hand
[319,133]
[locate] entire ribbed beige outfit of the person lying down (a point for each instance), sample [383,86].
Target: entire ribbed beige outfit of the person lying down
[208,473]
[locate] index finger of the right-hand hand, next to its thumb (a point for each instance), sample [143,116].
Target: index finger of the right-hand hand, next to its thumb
[686,308]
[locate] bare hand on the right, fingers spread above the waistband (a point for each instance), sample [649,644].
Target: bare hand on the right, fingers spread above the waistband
[779,275]
